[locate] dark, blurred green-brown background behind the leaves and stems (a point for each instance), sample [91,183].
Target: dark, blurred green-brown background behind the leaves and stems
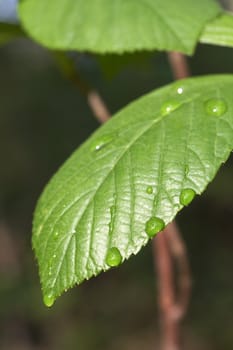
[43,118]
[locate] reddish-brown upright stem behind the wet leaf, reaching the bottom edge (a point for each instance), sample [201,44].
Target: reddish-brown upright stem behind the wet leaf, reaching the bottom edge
[169,251]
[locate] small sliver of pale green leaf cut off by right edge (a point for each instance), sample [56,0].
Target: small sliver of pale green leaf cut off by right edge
[219,31]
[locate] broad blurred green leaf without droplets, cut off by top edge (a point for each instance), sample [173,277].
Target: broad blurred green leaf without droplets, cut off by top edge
[117,26]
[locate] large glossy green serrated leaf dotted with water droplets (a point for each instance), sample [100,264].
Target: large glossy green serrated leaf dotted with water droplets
[130,178]
